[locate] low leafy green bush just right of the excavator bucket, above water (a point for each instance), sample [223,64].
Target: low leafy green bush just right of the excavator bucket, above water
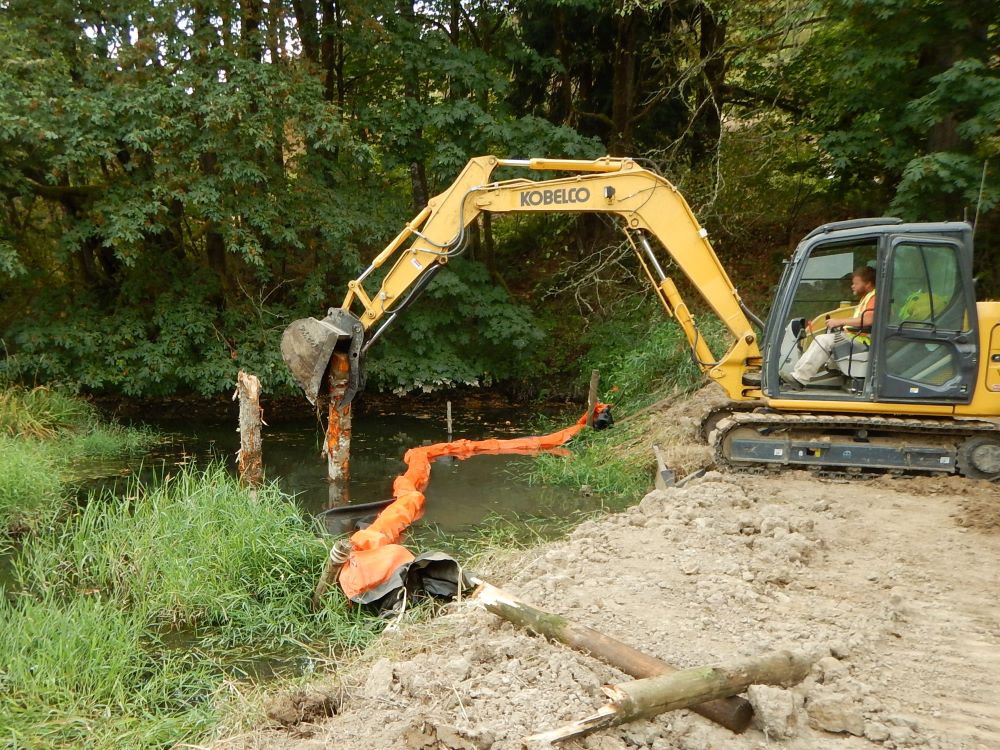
[463,331]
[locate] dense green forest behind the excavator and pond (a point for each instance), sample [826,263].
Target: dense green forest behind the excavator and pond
[182,178]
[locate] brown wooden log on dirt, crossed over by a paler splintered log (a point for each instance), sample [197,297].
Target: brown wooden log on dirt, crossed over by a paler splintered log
[732,713]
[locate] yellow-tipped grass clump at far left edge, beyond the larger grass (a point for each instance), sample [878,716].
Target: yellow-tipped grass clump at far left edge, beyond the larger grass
[44,435]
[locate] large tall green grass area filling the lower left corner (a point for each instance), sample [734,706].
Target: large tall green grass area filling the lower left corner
[143,599]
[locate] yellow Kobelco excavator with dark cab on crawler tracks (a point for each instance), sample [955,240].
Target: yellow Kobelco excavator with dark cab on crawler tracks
[924,396]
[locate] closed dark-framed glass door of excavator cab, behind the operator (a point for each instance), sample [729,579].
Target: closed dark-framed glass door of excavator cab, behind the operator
[926,348]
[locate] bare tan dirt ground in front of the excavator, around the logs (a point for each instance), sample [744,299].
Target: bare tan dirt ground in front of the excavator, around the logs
[894,583]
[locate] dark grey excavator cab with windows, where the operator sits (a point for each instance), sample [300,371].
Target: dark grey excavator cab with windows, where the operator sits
[924,338]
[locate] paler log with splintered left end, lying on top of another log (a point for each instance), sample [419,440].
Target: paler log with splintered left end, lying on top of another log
[652,696]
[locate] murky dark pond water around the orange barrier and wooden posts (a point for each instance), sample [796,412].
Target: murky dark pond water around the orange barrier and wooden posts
[460,495]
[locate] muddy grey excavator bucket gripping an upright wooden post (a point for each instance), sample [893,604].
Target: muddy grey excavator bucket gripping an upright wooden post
[308,344]
